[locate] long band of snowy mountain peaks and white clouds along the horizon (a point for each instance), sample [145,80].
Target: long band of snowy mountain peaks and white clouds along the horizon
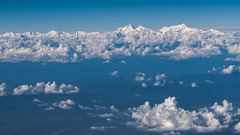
[177,42]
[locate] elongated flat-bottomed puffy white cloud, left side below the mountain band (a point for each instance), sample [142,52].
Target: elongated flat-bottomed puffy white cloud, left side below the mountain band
[48,88]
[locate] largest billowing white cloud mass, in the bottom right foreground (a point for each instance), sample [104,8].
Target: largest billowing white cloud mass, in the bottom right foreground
[167,117]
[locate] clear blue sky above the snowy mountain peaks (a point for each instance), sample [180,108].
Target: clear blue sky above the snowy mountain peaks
[107,15]
